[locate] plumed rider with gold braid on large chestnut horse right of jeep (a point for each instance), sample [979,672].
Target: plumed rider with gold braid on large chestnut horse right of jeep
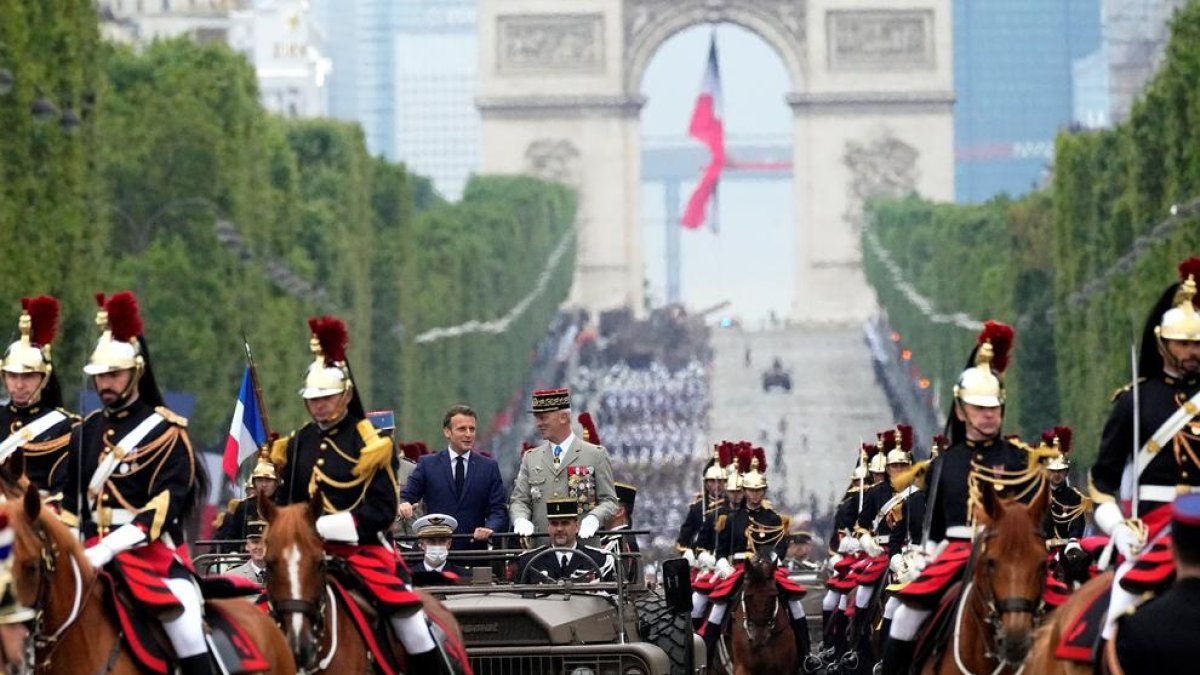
[979,458]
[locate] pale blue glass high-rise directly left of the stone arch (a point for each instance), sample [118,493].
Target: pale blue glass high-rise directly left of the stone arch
[406,71]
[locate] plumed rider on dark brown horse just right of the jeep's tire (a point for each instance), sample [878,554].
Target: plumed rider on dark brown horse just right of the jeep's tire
[753,528]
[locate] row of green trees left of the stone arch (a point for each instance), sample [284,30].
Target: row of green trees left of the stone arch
[226,222]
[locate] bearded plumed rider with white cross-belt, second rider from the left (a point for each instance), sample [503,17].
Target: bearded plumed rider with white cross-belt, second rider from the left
[135,481]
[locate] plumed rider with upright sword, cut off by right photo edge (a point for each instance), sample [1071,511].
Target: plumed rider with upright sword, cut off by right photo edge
[1166,403]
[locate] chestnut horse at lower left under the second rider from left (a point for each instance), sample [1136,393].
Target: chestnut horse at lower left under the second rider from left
[75,632]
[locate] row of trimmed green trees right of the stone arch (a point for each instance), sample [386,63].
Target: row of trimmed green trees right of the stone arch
[1075,267]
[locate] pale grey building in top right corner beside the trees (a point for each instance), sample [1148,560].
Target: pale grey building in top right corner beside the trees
[1136,34]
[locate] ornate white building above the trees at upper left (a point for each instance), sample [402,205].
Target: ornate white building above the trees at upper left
[279,39]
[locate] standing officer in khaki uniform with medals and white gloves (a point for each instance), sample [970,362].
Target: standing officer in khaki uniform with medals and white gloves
[563,467]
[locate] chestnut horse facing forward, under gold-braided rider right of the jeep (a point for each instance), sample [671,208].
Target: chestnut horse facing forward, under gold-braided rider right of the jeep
[993,628]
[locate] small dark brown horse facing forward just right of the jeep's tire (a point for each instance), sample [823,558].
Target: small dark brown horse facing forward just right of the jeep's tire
[761,630]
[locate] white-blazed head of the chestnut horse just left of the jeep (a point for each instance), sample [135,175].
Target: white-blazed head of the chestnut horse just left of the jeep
[296,575]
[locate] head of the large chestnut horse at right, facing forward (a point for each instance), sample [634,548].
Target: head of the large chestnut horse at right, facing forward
[1011,569]
